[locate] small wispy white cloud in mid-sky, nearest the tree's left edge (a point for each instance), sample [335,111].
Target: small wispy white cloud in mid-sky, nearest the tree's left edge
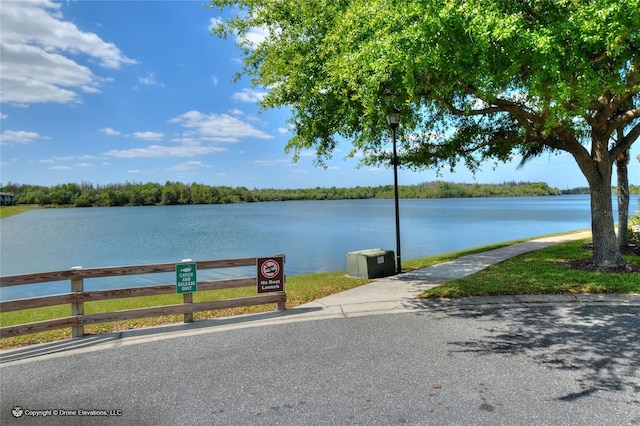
[217,127]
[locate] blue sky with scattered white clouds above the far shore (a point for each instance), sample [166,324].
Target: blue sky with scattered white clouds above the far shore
[139,91]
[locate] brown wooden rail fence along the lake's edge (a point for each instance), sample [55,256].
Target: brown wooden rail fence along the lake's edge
[77,296]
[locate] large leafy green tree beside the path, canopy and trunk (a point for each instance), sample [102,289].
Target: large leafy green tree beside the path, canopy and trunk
[474,80]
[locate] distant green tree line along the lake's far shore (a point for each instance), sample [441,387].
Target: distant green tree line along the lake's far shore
[177,193]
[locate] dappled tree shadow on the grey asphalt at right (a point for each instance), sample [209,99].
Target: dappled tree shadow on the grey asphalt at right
[600,343]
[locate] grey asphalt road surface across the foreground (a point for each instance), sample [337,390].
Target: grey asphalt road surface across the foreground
[510,364]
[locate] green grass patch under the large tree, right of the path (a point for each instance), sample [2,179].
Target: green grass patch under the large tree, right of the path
[541,272]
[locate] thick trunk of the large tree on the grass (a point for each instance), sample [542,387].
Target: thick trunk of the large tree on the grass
[606,251]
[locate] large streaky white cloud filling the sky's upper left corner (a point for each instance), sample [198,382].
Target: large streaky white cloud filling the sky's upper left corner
[37,46]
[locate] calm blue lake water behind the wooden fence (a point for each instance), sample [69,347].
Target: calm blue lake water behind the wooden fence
[315,235]
